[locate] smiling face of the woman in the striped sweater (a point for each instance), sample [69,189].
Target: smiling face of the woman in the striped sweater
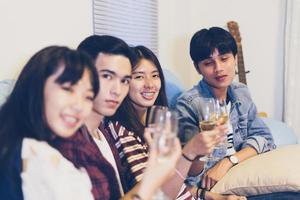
[145,85]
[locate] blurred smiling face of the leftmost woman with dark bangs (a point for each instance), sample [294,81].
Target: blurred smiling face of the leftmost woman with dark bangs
[67,105]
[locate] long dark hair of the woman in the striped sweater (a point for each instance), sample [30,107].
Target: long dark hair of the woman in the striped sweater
[127,114]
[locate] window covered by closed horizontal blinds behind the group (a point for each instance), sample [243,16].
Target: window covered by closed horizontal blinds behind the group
[135,21]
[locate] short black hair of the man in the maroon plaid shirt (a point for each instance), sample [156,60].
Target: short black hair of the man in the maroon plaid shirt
[107,44]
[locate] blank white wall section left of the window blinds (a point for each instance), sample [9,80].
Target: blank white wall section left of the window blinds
[27,26]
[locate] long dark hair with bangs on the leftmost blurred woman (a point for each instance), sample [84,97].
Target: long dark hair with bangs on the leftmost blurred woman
[23,114]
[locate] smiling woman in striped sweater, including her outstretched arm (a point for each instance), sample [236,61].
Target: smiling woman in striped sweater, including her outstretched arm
[147,88]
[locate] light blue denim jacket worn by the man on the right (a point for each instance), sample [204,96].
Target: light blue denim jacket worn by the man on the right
[248,128]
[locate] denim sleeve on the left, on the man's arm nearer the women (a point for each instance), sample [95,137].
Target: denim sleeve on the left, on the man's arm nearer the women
[188,119]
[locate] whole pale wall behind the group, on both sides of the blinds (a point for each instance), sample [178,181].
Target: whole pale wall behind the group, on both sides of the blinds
[27,26]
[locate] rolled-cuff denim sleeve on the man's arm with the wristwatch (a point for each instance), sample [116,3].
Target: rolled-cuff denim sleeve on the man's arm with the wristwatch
[259,135]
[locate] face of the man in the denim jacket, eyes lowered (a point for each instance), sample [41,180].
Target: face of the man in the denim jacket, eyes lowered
[218,70]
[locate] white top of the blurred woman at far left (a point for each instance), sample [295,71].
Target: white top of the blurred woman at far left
[48,175]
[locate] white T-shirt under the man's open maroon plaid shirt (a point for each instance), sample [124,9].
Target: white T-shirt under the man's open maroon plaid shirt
[107,153]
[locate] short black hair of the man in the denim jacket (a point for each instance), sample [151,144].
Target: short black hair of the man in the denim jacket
[205,41]
